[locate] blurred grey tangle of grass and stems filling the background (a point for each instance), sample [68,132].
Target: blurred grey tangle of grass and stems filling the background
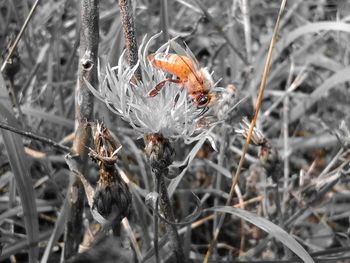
[304,116]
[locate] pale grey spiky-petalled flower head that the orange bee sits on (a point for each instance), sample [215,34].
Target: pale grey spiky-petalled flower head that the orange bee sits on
[171,113]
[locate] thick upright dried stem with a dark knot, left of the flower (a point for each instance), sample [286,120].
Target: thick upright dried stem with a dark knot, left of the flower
[89,38]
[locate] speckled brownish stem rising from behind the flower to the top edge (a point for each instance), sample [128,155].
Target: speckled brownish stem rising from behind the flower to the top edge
[127,18]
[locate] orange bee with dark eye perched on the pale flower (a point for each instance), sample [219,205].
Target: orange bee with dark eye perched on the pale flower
[197,80]
